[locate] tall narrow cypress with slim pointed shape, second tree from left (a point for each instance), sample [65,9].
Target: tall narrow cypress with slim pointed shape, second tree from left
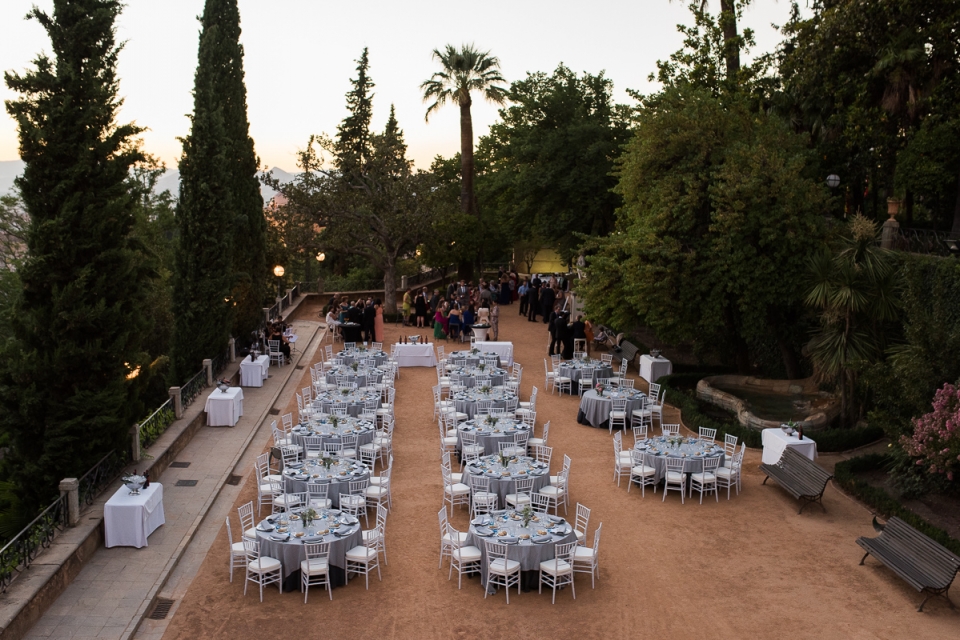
[207,210]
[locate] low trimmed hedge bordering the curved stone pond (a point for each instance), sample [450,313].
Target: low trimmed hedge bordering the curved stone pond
[682,388]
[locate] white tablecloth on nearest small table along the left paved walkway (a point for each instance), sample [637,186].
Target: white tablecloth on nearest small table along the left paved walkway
[128,520]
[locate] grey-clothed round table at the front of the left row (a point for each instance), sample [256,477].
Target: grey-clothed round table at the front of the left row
[289,549]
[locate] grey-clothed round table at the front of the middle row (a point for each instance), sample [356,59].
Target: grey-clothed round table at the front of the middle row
[528,553]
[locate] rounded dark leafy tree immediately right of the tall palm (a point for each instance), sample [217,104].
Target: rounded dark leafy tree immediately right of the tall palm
[551,158]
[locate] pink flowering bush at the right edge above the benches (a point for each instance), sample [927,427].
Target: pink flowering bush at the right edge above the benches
[935,443]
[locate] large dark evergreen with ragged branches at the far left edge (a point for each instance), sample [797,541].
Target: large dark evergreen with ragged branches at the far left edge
[78,322]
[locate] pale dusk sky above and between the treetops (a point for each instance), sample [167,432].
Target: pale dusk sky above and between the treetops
[300,56]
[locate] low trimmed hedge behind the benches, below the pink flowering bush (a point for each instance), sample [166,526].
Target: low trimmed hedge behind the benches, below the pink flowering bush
[882,502]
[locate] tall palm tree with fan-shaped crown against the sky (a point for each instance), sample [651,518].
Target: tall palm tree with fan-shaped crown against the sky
[462,72]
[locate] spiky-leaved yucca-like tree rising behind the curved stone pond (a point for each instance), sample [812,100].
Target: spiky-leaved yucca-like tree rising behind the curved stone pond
[855,288]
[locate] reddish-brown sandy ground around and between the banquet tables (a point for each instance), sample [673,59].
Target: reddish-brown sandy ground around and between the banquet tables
[748,567]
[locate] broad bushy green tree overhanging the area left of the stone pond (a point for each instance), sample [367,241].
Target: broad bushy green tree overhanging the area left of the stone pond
[718,216]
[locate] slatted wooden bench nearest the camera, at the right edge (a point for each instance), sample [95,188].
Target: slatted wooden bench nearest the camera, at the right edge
[921,561]
